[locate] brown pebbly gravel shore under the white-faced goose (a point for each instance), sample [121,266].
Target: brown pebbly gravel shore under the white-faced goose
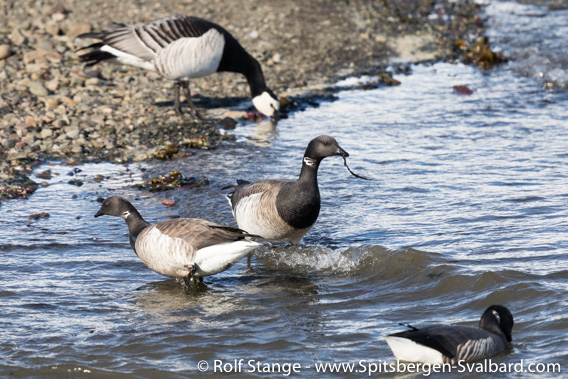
[52,107]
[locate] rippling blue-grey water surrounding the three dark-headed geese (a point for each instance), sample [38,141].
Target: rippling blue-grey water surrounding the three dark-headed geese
[468,207]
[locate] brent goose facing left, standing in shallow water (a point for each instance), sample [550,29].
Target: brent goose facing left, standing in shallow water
[181,248]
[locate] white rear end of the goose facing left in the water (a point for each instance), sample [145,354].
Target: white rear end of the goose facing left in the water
[214,259]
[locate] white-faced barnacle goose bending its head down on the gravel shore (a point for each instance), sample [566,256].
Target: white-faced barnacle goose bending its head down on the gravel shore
[181,48]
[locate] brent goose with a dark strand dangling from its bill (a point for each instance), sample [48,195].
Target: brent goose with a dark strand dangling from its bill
[284,210]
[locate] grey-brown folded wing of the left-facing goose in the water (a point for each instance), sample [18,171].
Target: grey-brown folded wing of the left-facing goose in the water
[200,233]
